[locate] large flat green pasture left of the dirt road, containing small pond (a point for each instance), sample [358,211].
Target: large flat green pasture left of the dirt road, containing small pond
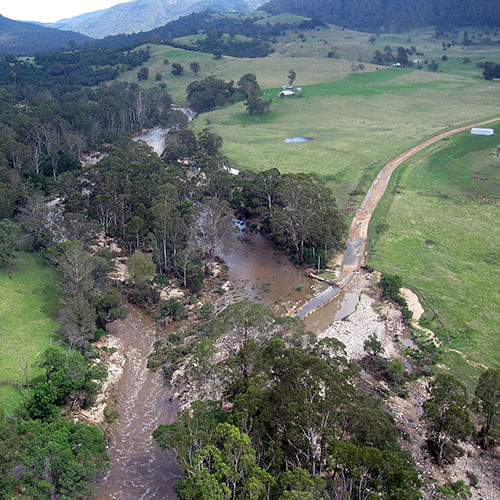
[358,123]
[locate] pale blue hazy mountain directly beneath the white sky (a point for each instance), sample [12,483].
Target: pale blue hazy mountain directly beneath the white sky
[145,15]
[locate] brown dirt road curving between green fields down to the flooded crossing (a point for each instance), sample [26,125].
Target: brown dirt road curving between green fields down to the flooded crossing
[358,232]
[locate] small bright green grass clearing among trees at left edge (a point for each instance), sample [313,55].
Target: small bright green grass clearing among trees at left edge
[28,302]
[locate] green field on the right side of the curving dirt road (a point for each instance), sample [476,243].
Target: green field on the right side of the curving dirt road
[438,228]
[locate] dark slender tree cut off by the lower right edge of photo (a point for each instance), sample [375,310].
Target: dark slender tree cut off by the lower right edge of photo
[487,400]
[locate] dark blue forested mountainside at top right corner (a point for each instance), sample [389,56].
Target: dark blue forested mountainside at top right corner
[392,15]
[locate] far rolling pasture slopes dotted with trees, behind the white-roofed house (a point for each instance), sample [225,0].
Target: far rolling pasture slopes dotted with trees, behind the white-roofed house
[308,57]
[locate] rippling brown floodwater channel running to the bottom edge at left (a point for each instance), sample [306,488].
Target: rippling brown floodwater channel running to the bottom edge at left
[139,469]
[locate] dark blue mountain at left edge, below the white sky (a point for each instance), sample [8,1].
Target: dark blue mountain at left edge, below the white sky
[19,38]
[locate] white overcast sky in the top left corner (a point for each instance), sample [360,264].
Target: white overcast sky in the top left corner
[47,11]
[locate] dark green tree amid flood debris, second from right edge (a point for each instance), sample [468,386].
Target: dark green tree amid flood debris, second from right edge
[447,416]
